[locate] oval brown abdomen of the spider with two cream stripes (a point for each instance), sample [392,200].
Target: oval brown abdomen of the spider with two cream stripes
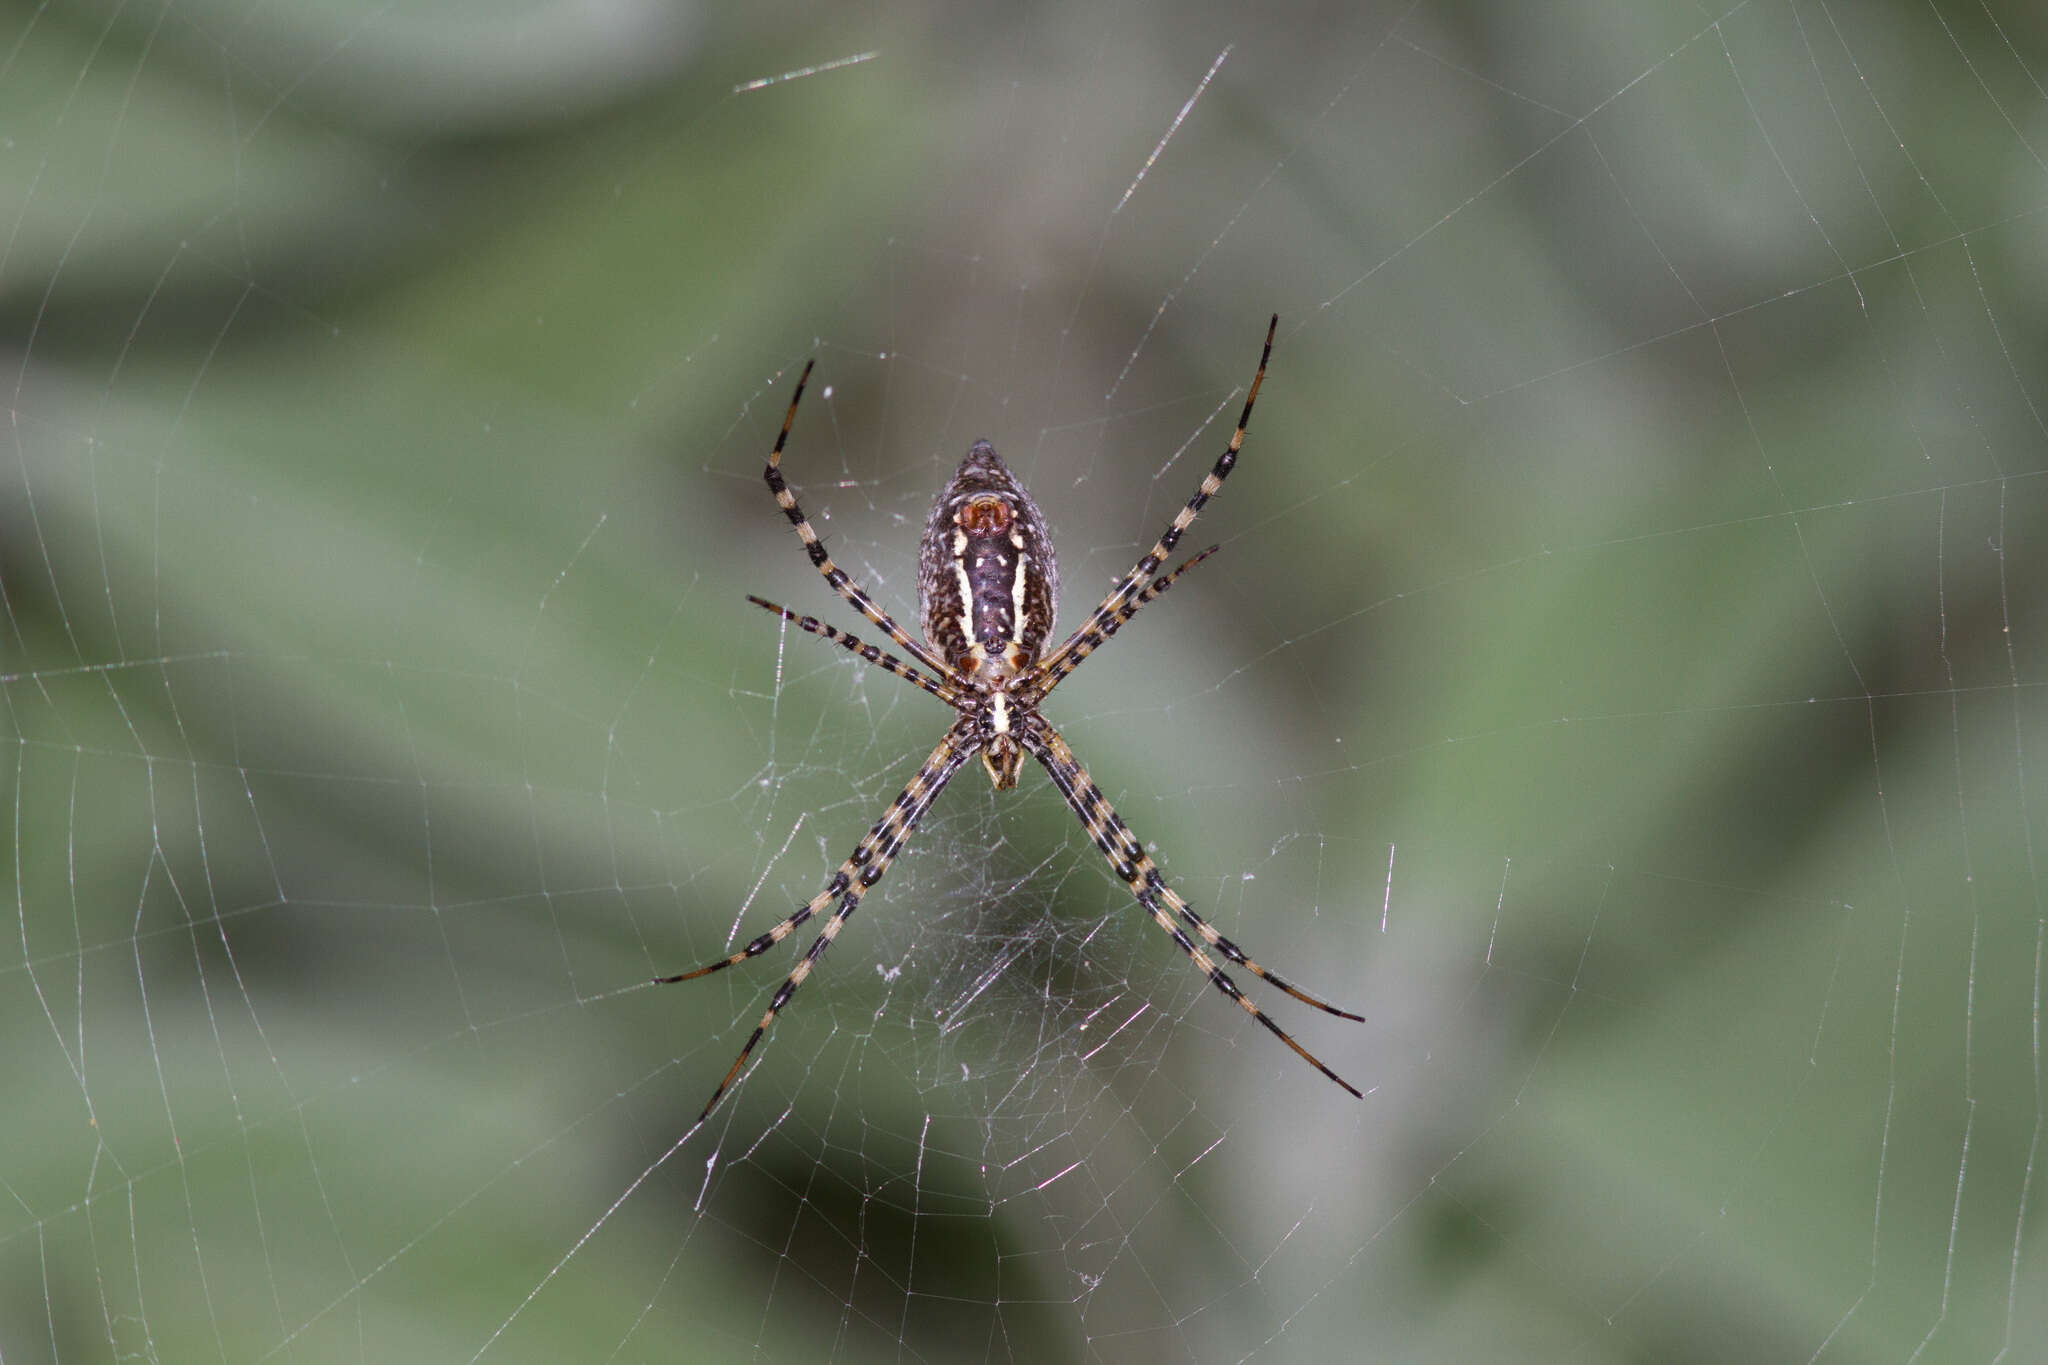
[988,584]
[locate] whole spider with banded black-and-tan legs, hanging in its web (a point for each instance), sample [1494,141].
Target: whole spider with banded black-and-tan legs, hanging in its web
[986,597]
